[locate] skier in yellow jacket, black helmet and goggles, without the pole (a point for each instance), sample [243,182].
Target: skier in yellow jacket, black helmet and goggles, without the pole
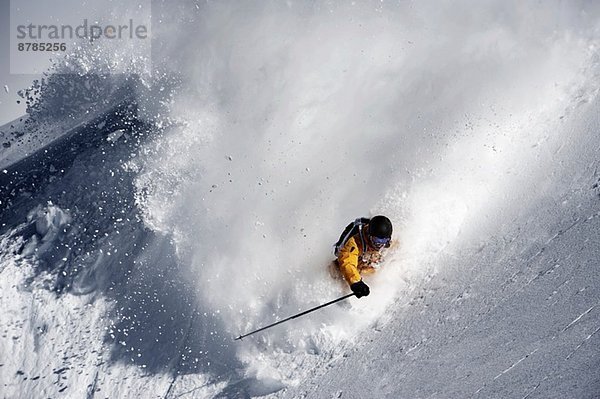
[359,250]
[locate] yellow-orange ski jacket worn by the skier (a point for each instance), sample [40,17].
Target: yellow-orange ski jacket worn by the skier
[352,260]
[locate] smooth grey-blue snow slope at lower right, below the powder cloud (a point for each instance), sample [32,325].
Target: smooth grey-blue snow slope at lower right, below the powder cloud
[513,314]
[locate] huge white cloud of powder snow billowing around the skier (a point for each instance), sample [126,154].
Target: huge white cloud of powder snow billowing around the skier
[295,118]
